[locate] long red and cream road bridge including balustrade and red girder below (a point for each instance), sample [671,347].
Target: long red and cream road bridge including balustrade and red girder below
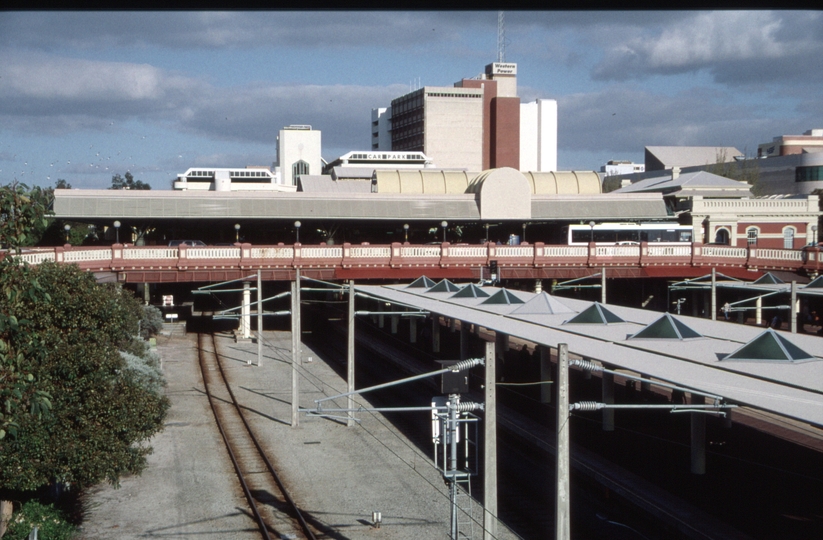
[156,264]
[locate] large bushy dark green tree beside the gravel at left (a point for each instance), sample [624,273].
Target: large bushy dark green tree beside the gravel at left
[103,410]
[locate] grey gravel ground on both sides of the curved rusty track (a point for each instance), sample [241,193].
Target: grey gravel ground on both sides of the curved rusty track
[338,475]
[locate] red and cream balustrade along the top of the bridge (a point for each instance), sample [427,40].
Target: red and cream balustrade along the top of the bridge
[397,255]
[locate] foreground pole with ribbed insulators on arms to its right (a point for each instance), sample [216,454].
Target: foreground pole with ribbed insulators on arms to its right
[562,521]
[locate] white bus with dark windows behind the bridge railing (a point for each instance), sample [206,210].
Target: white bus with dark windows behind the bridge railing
[627,233]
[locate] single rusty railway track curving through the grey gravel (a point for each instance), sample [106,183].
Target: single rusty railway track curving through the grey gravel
[275,512]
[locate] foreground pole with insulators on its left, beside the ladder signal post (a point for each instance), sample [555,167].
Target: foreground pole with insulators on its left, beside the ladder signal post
[490,446]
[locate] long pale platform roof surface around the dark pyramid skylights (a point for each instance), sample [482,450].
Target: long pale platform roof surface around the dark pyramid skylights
[792,389]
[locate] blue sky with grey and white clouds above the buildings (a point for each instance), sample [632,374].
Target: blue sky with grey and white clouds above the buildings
[86,95]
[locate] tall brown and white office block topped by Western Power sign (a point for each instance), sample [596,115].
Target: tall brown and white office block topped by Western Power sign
[477,124]
